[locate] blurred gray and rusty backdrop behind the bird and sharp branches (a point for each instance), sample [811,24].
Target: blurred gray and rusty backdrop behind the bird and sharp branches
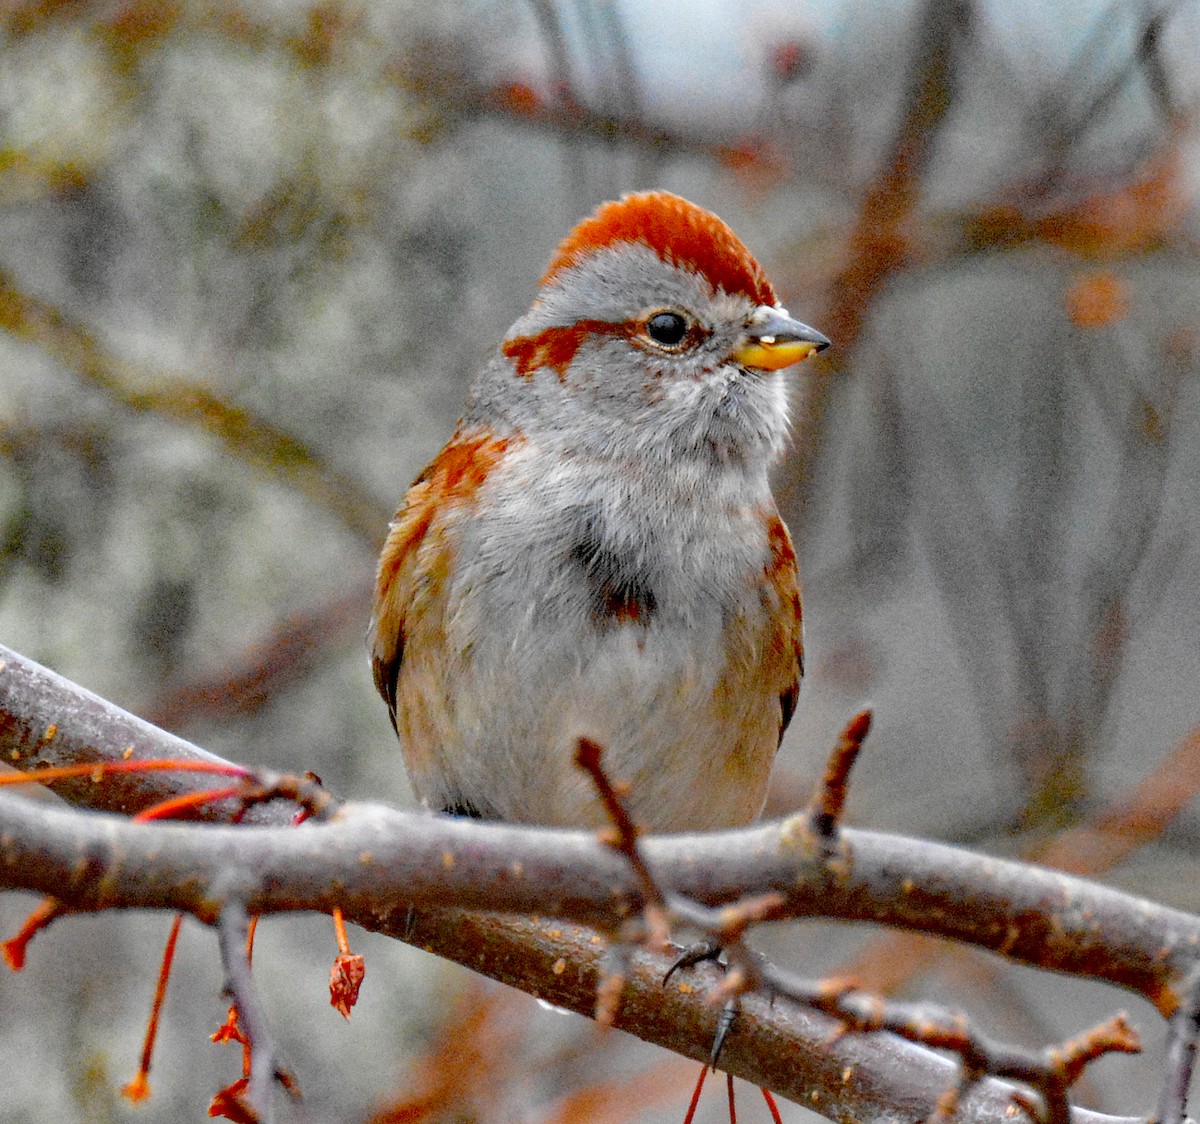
[250,257]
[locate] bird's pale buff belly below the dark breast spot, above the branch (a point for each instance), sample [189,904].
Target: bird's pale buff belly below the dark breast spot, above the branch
[693,746]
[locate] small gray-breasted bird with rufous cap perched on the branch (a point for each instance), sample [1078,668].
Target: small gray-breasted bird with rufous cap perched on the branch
[597,552]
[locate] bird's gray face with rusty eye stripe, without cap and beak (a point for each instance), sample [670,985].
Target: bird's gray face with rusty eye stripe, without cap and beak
[592,377]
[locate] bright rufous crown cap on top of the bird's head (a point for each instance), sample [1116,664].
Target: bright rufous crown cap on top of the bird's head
[680,233]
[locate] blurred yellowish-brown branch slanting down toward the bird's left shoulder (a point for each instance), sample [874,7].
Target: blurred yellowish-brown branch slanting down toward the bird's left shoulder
[173,396]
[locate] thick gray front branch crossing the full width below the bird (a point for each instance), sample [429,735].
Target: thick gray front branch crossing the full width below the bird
[375,862]
